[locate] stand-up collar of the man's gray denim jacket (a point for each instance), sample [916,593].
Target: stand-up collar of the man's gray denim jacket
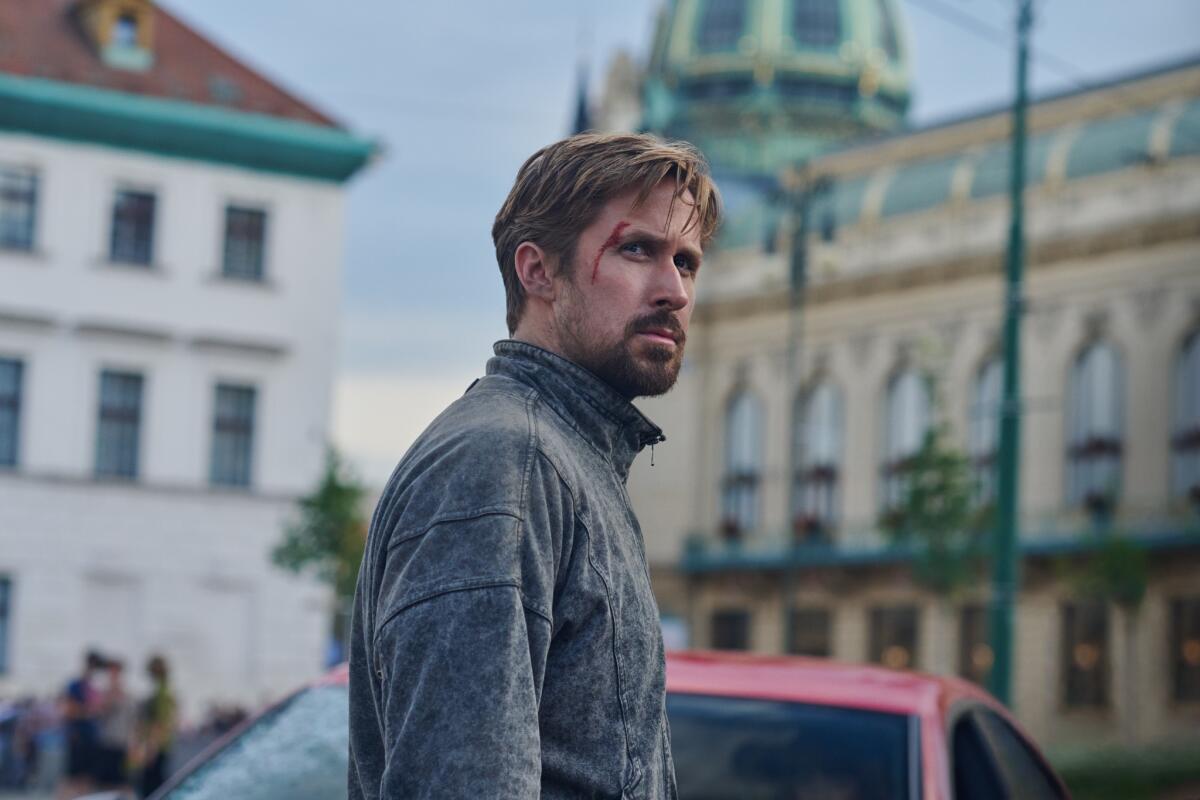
[603,417]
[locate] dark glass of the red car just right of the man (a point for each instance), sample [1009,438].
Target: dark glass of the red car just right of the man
[747,749]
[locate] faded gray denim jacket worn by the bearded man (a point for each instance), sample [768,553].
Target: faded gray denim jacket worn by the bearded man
[506,642]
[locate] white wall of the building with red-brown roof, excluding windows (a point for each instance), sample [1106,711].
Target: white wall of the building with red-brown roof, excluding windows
[165,563]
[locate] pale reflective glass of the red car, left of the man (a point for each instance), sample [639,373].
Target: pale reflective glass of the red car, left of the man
[297,753]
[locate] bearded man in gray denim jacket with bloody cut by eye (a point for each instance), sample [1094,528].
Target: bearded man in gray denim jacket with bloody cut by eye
[506,642]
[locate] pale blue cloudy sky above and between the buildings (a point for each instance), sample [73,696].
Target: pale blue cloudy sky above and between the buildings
[460,94]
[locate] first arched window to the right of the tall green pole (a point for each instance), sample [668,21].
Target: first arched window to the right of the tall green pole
[1094,425]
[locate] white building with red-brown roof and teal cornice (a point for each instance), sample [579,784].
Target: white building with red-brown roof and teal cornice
[171,249]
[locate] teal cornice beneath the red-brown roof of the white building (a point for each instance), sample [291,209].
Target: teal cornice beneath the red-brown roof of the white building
[179,129]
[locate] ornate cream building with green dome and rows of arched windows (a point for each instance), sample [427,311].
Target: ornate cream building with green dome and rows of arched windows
[791,431]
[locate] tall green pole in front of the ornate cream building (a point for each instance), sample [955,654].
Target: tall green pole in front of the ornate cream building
[1005,560]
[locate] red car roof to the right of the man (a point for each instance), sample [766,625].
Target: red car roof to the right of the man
[799,679]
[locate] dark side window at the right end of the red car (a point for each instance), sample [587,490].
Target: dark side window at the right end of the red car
[993,762]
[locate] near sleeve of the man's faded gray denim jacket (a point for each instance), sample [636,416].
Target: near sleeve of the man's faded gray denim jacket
[464,629]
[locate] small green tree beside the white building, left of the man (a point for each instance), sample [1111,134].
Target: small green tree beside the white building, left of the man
[329,536]
